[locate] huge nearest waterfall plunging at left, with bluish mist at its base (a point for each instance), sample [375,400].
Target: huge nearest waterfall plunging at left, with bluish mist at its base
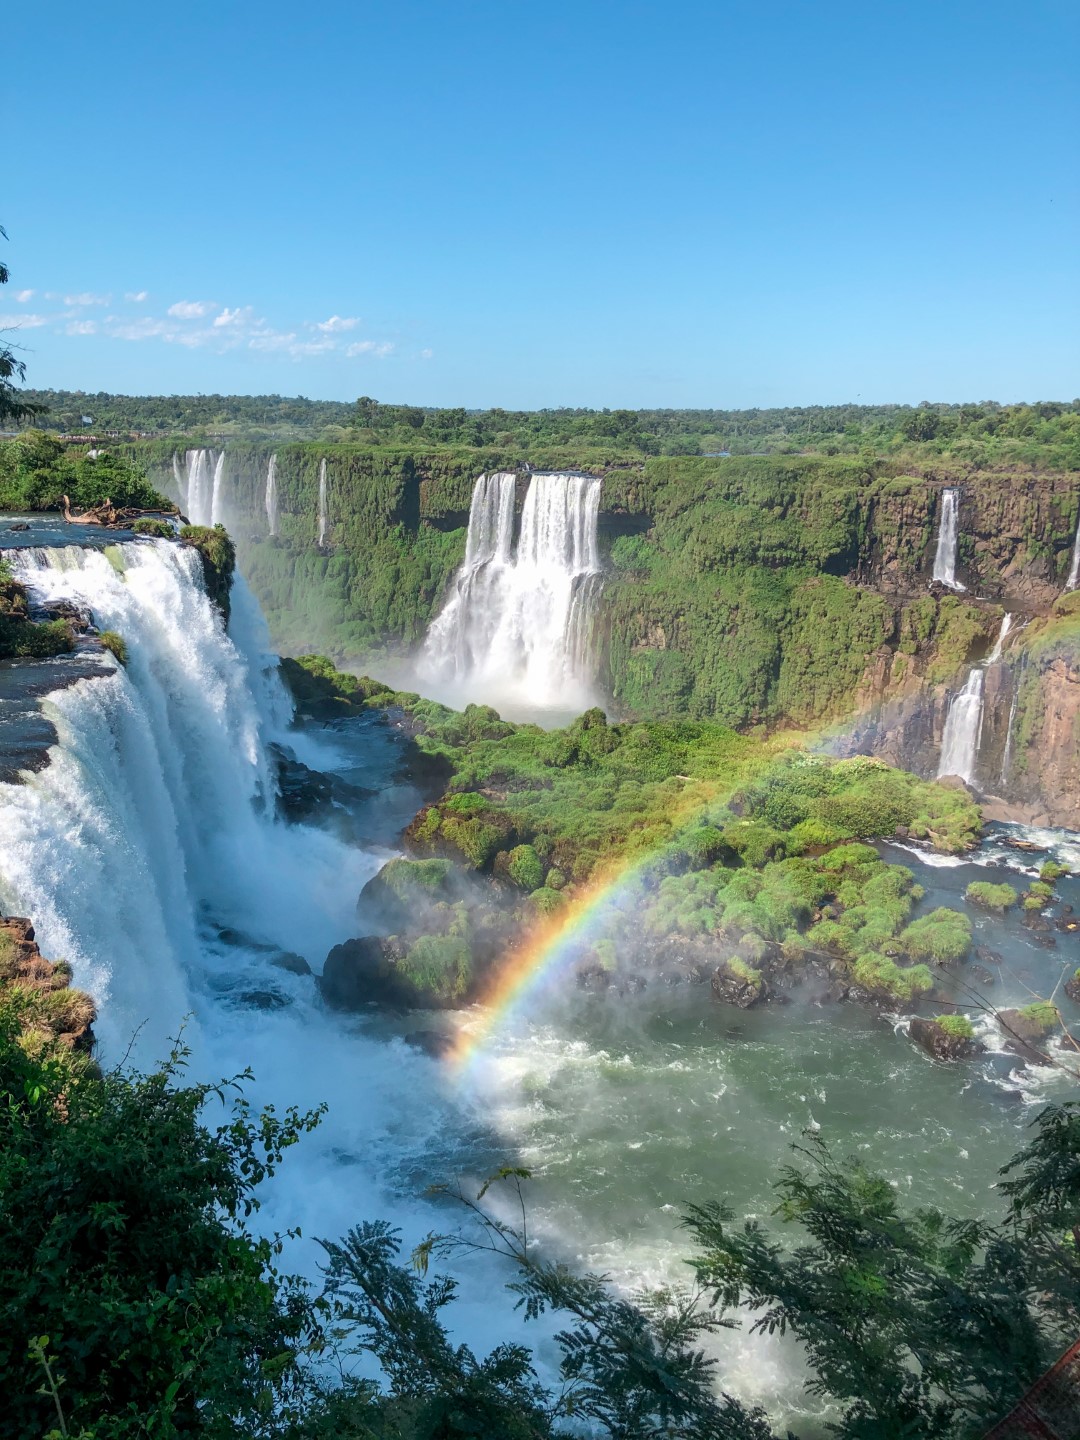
[155,816]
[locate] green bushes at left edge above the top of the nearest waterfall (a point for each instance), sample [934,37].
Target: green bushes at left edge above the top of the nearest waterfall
[37,472]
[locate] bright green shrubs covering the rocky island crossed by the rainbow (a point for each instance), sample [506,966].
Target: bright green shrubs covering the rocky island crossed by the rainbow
[737,839]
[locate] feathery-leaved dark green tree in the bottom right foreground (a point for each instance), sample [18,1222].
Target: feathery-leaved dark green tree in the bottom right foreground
[921,1326]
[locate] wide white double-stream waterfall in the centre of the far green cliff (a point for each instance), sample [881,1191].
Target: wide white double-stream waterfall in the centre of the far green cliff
[518,626]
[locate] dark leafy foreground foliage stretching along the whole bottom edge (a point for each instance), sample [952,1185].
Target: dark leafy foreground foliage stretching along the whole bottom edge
[136,1298]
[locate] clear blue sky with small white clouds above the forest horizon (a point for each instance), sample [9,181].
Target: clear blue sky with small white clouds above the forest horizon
[562,204]
